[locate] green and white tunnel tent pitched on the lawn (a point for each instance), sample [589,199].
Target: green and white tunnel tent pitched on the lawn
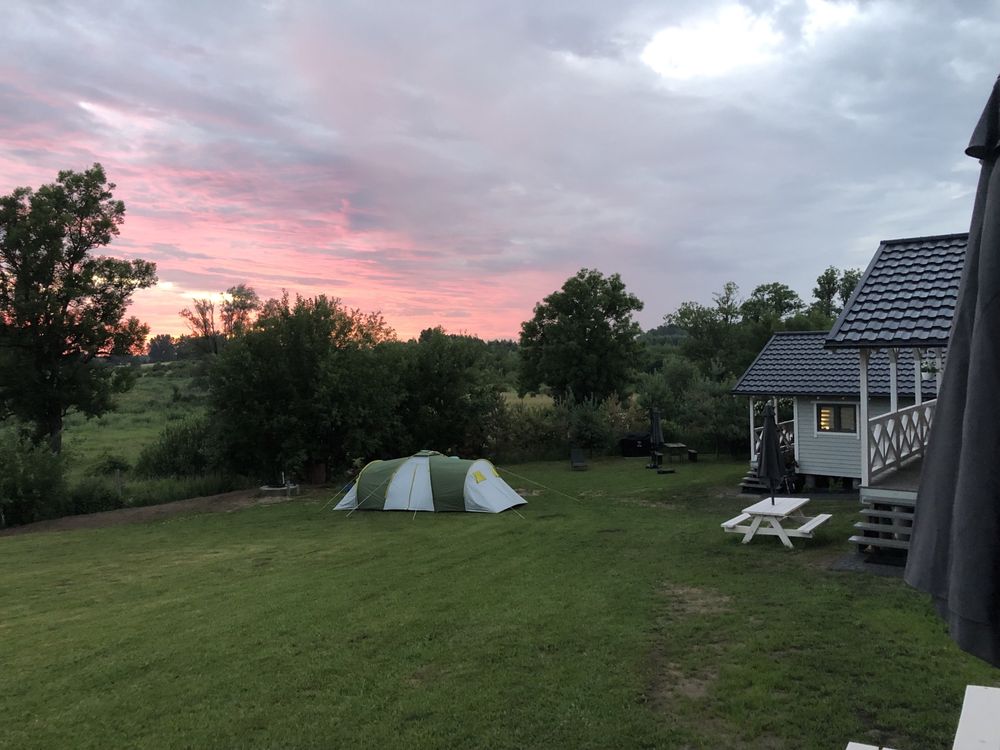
[430,481]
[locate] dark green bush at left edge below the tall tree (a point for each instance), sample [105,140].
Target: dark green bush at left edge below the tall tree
[31,479]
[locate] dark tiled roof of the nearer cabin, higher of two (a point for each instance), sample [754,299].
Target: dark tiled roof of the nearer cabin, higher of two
[906,297]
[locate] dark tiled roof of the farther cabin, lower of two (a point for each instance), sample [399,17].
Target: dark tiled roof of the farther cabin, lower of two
[795,363]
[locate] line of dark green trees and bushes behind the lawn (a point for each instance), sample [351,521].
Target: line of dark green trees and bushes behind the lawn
[300,384]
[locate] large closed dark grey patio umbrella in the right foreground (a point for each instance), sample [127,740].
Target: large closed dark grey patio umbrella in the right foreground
[955,544]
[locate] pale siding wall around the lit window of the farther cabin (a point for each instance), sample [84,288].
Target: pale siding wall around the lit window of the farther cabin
[830,454]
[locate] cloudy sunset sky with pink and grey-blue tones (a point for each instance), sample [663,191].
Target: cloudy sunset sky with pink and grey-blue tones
[452,163]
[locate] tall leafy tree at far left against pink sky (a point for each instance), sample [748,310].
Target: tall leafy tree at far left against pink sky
[61,306]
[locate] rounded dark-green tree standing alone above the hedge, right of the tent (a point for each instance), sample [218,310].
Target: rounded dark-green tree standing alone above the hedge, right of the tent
[581,341]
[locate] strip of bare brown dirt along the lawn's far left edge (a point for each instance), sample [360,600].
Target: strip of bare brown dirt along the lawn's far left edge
[227,501]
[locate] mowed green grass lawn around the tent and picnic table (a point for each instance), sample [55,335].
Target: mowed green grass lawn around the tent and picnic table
[623,618]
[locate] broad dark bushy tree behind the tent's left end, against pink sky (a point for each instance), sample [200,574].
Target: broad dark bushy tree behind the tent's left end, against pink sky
[303,387]
